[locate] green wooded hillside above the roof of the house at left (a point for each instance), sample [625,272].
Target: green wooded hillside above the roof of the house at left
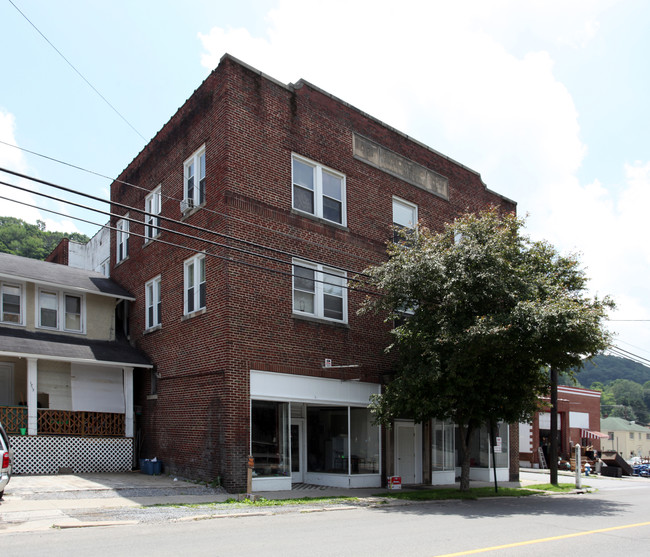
[31,240]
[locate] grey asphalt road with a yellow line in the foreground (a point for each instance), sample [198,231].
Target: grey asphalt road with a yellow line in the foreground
[612,521]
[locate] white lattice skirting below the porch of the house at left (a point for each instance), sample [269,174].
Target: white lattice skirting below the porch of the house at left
[39,454]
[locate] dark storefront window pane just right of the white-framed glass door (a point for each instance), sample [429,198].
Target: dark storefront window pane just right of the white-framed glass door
[327,439]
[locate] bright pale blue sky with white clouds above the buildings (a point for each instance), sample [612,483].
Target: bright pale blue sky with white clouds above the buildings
[546,99]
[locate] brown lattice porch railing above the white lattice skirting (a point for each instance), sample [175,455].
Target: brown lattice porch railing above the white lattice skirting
[64,422]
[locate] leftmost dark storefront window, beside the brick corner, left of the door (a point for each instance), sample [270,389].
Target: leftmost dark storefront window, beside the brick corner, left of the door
[270,438]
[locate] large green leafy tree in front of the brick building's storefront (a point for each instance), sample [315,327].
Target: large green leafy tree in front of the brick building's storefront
[480,313]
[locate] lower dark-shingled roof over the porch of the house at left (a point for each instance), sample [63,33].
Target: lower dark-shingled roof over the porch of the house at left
[20,343]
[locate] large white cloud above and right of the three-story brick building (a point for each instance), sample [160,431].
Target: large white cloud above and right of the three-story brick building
[474,80]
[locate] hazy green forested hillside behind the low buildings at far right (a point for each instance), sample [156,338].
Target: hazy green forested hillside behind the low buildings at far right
[625,385]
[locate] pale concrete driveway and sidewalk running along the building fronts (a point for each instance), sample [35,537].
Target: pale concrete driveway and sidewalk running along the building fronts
[38,502]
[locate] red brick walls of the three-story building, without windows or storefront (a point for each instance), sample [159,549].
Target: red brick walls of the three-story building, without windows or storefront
[250,125]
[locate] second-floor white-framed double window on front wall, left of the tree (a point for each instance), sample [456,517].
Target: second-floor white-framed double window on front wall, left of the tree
[319,291]
